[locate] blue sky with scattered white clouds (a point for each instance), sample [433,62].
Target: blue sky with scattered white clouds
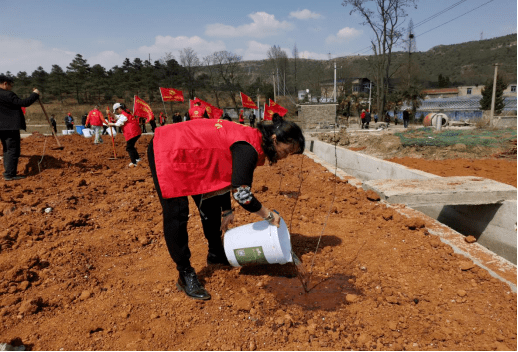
[43,33]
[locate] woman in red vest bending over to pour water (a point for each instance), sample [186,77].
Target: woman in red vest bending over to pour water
[226,155]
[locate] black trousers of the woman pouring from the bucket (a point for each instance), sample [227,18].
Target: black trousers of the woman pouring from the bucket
[176,215]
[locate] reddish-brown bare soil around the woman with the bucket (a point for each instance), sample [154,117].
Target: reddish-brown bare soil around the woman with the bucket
[83,266]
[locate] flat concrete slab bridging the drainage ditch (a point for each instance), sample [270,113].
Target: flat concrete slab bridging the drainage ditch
[458,190]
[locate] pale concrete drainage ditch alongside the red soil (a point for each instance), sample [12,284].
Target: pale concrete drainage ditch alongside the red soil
[492,222]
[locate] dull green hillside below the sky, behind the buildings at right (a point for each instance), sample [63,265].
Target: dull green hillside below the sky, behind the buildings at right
[465,64]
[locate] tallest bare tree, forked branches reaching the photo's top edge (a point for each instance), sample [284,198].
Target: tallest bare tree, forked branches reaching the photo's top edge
[383,17]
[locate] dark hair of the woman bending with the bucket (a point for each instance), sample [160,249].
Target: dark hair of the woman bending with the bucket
[285,131]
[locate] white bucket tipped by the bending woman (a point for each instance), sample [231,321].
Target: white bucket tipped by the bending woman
[258,243]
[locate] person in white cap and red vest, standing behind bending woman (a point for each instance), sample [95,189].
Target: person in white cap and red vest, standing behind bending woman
[130,129]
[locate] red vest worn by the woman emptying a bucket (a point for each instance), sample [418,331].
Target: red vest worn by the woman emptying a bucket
[194,158]
